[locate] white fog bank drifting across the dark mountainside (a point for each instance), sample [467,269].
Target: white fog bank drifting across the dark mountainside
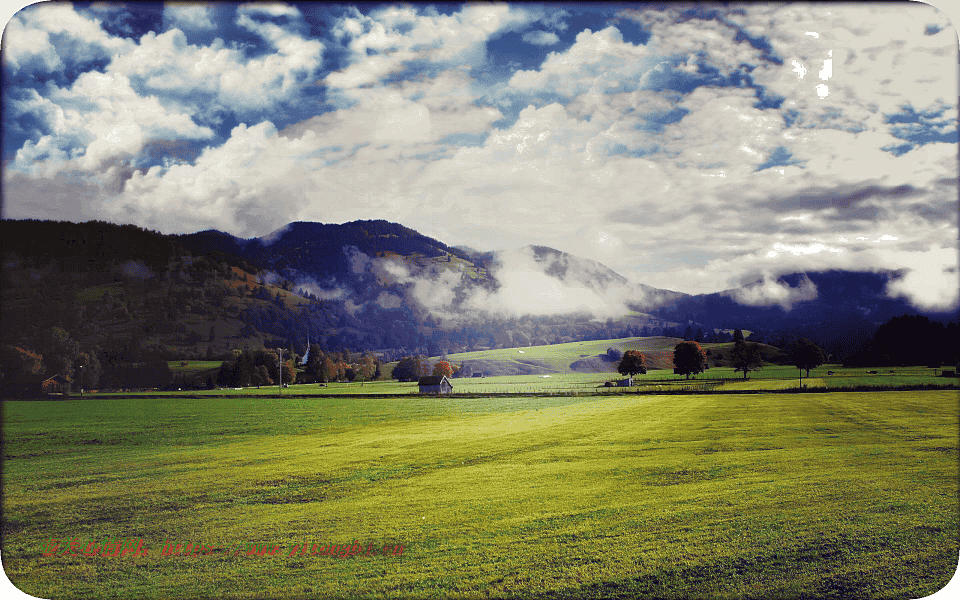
[526,281]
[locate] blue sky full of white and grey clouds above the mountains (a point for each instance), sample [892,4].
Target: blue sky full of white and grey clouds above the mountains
[690,147]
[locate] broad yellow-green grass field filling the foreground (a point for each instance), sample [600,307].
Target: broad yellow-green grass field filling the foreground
[817,495]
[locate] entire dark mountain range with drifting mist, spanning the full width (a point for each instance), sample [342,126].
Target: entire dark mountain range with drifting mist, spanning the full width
[380,286]
